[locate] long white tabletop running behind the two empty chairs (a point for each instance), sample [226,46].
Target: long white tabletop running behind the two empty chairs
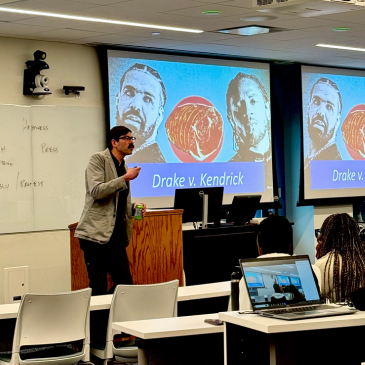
[100,302]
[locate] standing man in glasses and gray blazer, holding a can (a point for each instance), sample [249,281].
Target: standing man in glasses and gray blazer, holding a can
[104,229]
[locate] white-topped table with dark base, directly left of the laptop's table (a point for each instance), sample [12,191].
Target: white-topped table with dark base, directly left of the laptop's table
[179,340]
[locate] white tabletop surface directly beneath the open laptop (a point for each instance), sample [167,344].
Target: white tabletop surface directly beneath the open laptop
[271,325]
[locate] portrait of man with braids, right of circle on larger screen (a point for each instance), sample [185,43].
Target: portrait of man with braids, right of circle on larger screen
[248,112]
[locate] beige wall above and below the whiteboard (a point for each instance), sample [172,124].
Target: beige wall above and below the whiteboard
[46,253]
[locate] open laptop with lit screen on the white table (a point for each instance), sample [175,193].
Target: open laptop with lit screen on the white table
[285,288]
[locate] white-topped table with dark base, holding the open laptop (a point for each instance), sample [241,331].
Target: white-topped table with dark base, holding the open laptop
[252,339]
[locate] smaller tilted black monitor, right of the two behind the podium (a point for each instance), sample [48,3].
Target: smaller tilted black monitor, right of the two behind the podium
[243,208]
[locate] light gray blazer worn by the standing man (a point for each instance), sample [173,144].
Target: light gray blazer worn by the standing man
[102,189]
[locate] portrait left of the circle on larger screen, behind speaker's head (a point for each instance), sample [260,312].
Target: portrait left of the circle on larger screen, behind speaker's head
[140,107]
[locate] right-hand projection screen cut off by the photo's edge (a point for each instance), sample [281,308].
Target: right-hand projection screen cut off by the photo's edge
[334,132]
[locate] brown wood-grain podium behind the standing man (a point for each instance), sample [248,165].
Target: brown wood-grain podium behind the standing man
[155,252]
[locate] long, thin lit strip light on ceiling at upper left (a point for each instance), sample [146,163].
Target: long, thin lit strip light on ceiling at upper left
[97,20]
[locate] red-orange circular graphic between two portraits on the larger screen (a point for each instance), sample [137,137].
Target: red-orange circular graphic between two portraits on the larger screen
[195,130]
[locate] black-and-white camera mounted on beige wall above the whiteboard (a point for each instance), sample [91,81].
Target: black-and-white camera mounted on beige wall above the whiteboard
[35,83]
